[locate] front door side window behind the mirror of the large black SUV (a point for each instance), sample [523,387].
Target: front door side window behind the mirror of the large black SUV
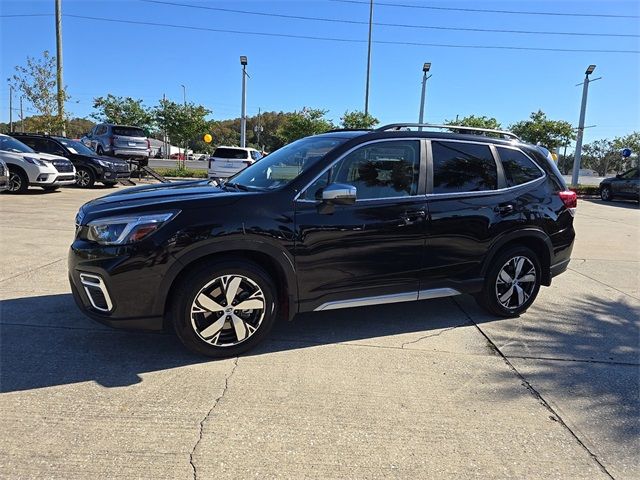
[379,170]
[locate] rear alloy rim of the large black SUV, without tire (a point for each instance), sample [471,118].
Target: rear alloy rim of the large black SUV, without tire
[516,282]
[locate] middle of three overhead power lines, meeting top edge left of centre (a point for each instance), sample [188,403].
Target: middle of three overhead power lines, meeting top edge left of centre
[383,24]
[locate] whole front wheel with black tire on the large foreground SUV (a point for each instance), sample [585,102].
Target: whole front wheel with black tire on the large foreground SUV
[208,279]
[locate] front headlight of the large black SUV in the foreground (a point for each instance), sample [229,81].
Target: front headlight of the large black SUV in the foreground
[127,228]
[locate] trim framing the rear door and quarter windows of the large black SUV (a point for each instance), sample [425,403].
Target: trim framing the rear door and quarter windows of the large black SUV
[502,182]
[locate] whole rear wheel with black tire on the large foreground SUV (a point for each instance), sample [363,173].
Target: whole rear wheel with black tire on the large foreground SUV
[493,291]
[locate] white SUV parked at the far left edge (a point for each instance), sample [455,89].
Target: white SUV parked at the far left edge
[26,167]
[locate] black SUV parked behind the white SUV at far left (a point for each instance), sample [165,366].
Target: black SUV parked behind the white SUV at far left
[90,167]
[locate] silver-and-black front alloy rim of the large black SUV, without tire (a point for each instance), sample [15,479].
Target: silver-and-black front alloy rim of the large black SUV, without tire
[228,310]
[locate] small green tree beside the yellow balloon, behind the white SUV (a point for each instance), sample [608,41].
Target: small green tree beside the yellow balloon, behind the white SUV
[183,123]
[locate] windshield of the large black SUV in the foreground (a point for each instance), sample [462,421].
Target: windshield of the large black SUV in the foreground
[284,165]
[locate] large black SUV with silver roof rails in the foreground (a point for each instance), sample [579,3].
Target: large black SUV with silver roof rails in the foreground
[338,220]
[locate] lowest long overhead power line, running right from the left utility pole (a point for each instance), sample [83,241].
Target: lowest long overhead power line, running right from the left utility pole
[346,40]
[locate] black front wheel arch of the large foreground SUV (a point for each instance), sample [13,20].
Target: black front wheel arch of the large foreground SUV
[275,263]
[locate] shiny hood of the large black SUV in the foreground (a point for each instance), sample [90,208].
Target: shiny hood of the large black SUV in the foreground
[158,196]
